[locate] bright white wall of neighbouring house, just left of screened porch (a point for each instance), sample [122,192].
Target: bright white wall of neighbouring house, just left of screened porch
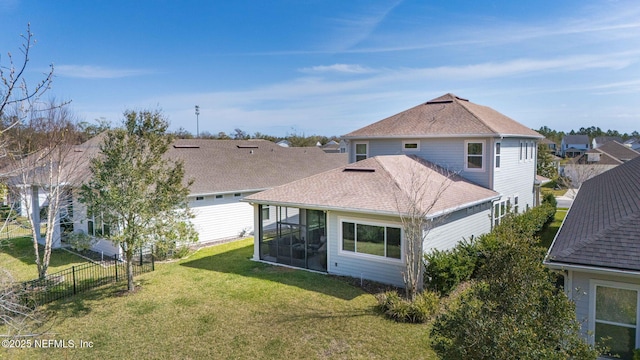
[221,218]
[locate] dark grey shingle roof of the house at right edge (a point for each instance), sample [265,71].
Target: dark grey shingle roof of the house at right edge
[602,228]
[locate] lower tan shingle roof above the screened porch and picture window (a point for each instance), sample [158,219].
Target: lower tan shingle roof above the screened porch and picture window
[381,184]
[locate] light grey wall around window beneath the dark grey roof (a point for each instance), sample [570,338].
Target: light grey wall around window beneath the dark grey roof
[578,288]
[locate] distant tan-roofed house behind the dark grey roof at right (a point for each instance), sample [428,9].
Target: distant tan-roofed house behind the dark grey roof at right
[596,161]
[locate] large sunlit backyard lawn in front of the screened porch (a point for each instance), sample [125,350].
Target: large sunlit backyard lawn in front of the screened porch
[219,304]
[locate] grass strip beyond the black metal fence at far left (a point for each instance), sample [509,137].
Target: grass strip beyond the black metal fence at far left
[17,256]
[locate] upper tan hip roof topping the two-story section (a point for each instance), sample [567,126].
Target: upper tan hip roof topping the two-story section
[445,116]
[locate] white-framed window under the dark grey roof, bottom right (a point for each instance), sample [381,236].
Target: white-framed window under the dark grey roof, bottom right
[615,315]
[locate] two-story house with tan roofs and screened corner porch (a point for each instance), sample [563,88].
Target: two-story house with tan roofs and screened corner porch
[476,163]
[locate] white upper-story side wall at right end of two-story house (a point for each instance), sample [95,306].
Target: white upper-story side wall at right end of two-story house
[515,177]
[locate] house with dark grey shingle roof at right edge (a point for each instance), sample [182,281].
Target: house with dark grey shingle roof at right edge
[597,249]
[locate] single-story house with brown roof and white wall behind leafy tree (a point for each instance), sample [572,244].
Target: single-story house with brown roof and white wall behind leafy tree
[223,172]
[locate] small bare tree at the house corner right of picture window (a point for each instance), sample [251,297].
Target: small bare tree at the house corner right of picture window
[421,187]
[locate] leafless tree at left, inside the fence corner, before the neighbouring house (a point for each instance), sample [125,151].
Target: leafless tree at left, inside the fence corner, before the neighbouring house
[47,165]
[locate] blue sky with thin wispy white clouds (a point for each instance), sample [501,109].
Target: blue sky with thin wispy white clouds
[329,67]
